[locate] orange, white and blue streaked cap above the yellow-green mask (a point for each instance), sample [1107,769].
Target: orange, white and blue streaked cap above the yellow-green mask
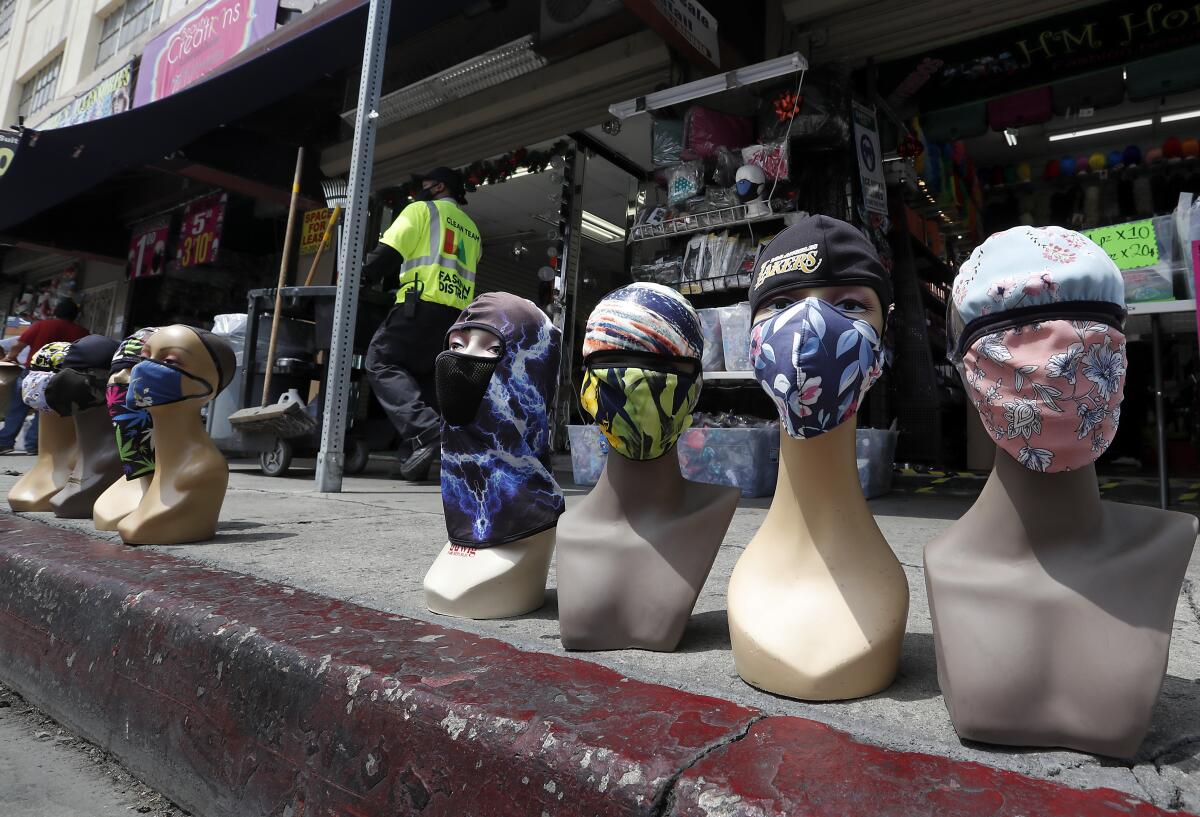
[645,317]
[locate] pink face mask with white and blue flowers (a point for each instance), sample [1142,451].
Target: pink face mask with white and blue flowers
[1049,393]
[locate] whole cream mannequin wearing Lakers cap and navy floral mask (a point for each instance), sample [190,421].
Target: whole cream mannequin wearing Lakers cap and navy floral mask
[818,603]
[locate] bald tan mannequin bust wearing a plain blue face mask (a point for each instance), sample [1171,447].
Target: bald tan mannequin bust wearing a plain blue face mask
[183,370]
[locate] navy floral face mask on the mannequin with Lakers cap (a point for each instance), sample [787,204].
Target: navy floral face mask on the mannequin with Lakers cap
[815,363]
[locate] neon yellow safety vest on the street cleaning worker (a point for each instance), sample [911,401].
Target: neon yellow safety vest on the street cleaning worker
[441,248]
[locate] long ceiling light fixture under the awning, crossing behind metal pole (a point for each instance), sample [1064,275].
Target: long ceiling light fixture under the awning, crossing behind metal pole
[481,74]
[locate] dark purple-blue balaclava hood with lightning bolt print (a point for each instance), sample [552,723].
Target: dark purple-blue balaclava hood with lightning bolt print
[497,482]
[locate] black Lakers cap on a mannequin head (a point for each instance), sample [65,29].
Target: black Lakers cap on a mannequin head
[819,251]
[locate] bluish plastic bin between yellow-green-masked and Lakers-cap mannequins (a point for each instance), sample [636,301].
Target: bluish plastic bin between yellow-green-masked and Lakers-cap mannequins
[746,459]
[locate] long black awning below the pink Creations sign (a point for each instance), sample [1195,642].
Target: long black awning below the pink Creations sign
[53,166]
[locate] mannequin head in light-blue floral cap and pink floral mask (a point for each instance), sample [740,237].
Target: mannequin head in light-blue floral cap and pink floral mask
[1035,323]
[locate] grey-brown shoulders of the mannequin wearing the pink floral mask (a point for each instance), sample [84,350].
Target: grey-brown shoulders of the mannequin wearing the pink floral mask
[1028,621]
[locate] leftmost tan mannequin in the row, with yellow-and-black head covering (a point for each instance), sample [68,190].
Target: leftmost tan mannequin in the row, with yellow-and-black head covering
[57,450]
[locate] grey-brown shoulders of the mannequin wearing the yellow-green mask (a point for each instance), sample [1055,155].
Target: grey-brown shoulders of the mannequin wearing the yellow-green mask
[634,555]
